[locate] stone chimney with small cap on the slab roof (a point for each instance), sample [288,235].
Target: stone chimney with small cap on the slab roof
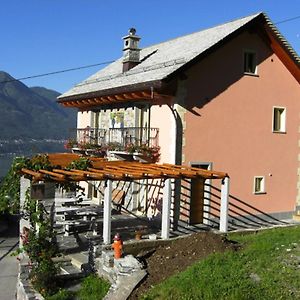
[131,51]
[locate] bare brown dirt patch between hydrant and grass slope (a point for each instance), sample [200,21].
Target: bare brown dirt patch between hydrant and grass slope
[177,256]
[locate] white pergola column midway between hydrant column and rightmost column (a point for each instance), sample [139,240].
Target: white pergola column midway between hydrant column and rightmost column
[166,209]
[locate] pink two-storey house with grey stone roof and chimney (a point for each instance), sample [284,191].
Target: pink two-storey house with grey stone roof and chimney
[225,98]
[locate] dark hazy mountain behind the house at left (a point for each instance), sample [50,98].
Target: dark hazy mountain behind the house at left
[32,113]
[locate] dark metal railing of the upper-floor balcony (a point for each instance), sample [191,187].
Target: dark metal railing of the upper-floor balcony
[122,136]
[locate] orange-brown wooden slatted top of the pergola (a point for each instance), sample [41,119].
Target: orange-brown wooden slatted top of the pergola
[116,170]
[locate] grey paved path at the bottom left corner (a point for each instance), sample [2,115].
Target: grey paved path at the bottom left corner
[8,266]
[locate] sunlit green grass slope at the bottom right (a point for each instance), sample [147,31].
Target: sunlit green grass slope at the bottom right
[266,267]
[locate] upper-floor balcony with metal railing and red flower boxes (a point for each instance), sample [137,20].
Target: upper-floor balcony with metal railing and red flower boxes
[124,143]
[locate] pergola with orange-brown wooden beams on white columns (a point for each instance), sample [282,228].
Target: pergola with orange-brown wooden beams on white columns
[109,171]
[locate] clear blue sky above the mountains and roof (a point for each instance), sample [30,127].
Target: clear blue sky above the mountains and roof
[41,36]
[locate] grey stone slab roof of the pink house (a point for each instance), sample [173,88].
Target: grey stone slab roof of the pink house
[161,60]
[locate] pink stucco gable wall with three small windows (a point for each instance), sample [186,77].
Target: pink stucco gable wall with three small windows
[229,122]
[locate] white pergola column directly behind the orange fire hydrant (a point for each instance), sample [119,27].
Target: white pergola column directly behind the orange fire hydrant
[107,213]
